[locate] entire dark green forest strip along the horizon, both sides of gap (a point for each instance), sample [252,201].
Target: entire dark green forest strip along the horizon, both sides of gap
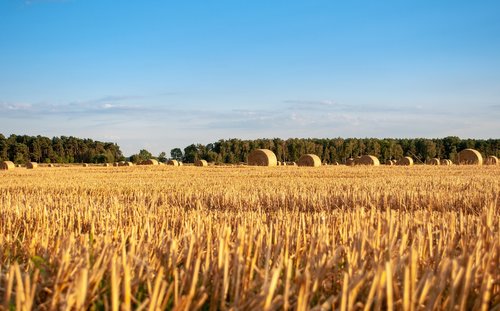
[23,148]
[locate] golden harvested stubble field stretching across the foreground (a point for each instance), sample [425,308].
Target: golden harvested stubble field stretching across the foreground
[333,237]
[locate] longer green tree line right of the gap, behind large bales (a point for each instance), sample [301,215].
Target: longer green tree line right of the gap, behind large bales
[332,150]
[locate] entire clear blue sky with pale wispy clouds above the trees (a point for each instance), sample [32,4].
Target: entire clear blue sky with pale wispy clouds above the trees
[164,74]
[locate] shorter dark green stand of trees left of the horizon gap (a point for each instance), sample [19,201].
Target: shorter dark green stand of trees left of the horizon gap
[23,148]
